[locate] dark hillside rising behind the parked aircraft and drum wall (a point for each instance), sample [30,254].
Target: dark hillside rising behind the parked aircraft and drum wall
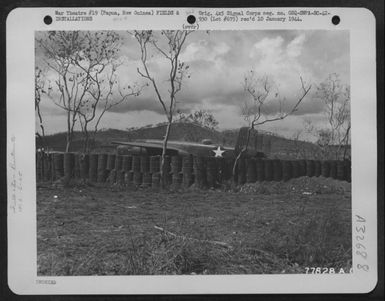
[274,146]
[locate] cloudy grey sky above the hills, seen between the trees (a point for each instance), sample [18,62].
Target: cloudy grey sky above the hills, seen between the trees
[218,62]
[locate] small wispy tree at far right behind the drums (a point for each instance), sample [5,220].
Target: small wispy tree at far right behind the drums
[336,99]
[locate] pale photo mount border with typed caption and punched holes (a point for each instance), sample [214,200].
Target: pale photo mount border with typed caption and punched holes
[22,243]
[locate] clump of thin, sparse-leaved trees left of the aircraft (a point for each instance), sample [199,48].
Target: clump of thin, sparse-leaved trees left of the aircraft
[82,78]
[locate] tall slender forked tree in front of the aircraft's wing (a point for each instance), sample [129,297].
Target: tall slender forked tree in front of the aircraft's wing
[169,46]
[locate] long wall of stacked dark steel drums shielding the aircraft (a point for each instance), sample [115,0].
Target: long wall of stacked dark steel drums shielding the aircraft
[179,171]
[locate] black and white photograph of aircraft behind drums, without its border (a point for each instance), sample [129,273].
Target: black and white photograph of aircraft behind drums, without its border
[193,152]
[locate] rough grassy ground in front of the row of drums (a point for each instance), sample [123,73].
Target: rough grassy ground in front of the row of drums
[263,228]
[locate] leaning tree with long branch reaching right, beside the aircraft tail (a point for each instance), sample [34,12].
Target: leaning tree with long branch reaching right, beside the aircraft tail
[262,94]
